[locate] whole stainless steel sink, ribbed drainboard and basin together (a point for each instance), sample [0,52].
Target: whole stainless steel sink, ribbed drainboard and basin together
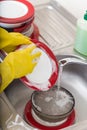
[58,32]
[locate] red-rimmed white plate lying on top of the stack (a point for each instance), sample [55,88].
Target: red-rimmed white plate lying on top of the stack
[16,11]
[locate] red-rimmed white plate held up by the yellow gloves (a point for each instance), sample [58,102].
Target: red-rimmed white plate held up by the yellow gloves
[45,74]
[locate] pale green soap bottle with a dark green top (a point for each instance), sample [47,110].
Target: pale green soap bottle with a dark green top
[81,36]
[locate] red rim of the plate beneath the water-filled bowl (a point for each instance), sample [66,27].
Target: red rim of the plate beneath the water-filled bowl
[29,118]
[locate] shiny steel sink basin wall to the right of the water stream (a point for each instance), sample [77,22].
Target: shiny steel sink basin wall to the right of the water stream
[74,79]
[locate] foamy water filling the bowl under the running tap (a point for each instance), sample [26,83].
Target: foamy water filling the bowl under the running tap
[54,103]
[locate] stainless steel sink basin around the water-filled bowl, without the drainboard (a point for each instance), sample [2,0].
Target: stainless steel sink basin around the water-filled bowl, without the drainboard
[74,79]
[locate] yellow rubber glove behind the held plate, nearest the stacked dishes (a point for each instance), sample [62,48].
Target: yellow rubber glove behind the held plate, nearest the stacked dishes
[9,40]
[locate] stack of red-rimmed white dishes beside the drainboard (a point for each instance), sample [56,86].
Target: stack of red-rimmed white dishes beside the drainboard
[17,16]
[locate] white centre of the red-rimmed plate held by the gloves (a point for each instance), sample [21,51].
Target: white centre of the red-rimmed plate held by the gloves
[43,70]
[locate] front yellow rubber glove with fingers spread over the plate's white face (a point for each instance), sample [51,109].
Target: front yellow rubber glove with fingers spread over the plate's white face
[17,64]
